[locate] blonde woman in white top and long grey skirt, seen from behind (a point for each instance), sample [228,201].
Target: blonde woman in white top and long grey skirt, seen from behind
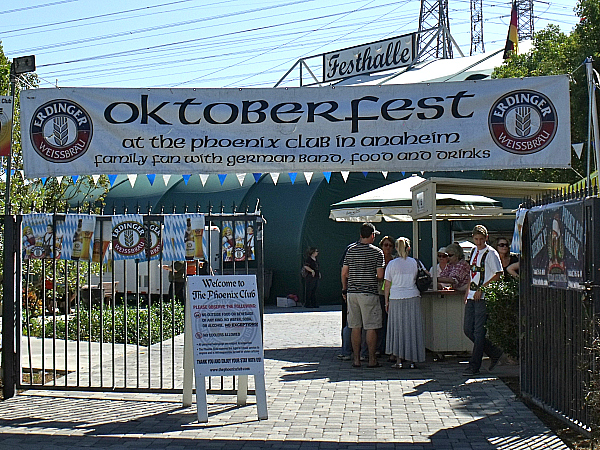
[404,337]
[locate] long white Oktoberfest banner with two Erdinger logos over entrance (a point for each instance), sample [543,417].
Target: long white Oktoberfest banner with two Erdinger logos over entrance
[470,125]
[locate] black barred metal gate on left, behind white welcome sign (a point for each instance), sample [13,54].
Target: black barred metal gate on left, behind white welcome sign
[112,325]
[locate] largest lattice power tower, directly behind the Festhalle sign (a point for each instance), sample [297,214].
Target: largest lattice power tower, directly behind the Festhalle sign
[434,30]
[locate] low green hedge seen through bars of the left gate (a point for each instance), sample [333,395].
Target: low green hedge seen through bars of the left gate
[172,325]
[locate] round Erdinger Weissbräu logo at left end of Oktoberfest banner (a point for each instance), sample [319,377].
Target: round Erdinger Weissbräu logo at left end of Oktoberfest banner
[60,131]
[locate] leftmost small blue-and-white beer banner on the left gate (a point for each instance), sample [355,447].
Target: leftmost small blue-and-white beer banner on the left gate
[38,236]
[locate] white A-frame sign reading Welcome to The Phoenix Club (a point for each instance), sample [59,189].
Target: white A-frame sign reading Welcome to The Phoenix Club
[226,332]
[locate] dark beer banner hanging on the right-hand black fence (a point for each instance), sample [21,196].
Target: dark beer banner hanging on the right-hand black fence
[557,250]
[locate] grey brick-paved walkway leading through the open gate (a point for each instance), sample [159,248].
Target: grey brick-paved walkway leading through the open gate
[315,401]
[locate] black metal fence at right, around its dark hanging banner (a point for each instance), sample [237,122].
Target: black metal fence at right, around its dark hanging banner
[558,325]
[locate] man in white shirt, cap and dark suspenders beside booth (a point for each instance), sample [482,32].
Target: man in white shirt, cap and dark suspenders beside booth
[485,269]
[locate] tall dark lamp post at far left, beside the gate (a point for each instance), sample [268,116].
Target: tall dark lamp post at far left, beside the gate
[9,356]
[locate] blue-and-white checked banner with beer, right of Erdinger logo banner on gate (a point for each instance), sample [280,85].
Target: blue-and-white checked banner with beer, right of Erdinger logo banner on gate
[183,237]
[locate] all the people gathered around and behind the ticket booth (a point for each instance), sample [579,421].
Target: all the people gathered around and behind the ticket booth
[382,304]
